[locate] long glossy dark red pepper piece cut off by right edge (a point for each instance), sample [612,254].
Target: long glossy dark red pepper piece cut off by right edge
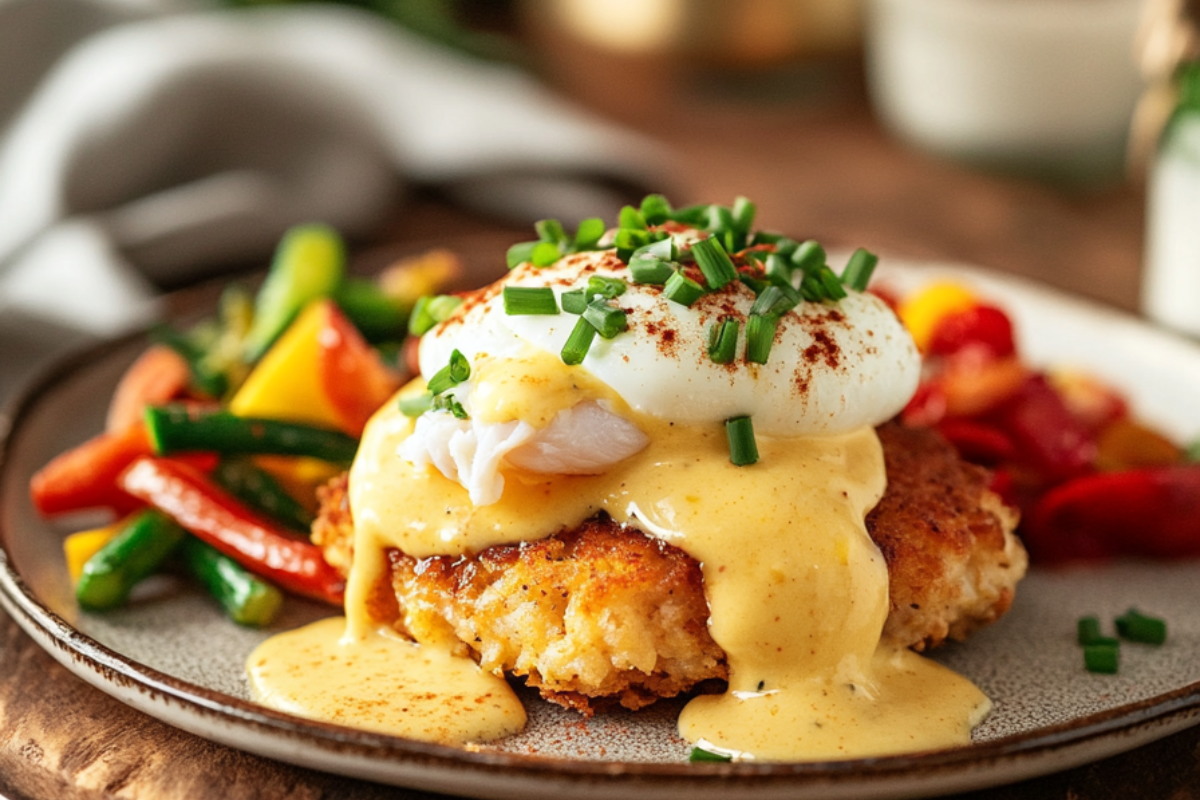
[1147,513]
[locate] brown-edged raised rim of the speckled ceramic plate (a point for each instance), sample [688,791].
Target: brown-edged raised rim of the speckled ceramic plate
[488,774]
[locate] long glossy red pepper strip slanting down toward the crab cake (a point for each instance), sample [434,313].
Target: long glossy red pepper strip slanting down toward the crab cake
[218,519]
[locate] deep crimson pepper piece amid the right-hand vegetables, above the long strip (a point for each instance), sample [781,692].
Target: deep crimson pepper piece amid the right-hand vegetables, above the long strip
[1054,442]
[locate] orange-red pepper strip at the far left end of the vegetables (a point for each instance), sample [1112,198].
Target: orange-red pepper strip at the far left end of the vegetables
[87,477]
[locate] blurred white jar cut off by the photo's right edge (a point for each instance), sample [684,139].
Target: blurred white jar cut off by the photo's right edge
[1172,272]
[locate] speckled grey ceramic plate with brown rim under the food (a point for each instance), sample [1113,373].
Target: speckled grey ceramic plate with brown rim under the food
[172,655]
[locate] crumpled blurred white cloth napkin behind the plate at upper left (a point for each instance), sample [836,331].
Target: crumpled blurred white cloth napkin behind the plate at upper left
[152,142]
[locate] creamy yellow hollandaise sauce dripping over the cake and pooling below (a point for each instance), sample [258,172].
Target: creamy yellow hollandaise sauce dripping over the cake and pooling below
[797,592]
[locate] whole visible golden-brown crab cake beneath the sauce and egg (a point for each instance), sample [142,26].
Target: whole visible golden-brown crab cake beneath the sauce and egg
[604,613]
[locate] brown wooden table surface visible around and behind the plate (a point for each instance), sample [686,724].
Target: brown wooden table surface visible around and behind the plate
[823,169]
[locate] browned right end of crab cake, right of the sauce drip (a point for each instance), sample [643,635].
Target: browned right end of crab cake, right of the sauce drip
[953,560]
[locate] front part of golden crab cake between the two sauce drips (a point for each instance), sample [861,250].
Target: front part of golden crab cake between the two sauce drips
[597,612]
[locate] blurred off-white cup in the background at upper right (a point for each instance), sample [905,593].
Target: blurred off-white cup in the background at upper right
[1045,87]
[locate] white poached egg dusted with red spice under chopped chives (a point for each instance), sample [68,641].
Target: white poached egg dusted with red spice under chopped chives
[833,368]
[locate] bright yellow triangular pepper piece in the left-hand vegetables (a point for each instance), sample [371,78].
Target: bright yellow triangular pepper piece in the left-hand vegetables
[286,384]
